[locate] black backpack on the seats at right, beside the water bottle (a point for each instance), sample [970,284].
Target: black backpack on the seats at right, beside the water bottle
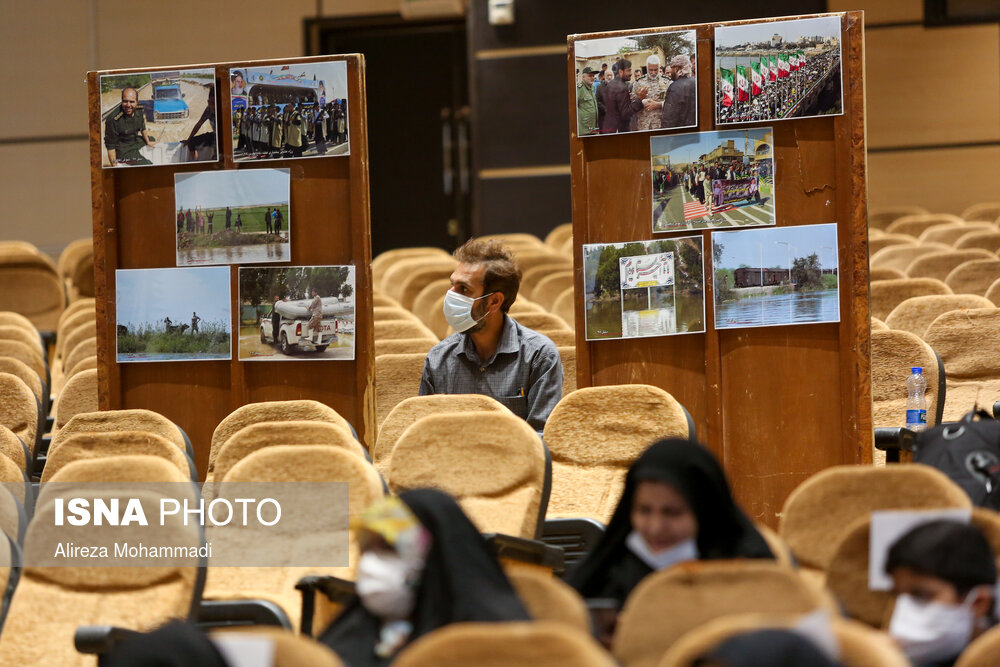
[968,451]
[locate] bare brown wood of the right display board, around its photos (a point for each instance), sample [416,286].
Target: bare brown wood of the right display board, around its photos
[775,404]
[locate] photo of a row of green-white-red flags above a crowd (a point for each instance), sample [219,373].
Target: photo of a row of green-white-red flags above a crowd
[778,70]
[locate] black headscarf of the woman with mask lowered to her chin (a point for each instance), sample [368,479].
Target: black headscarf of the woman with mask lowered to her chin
[724,531]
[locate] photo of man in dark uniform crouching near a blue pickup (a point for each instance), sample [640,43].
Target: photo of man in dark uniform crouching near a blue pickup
[157,118]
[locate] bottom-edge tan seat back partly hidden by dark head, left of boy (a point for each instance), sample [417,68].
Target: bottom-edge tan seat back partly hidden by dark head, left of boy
[859,645]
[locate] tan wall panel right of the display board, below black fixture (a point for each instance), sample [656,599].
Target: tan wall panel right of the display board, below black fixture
[936,86]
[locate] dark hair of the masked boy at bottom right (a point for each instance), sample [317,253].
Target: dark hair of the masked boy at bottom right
[955,552]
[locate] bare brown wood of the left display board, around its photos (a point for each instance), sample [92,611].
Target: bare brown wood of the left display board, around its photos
[133,213]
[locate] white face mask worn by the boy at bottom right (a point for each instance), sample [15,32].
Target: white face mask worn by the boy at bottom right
[931,631]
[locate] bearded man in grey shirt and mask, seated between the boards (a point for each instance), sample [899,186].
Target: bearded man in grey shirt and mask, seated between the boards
[492,354]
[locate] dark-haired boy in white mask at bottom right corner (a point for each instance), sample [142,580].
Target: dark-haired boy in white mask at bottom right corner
[944,574]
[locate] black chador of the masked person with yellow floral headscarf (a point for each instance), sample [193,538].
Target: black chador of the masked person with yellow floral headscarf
[462,582]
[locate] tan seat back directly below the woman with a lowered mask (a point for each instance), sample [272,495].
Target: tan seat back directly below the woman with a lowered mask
[669,603]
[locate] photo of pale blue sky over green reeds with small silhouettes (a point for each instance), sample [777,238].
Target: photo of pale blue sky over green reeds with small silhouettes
[173,314]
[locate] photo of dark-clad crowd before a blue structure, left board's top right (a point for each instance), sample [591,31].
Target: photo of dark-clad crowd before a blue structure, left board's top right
[289,111]
